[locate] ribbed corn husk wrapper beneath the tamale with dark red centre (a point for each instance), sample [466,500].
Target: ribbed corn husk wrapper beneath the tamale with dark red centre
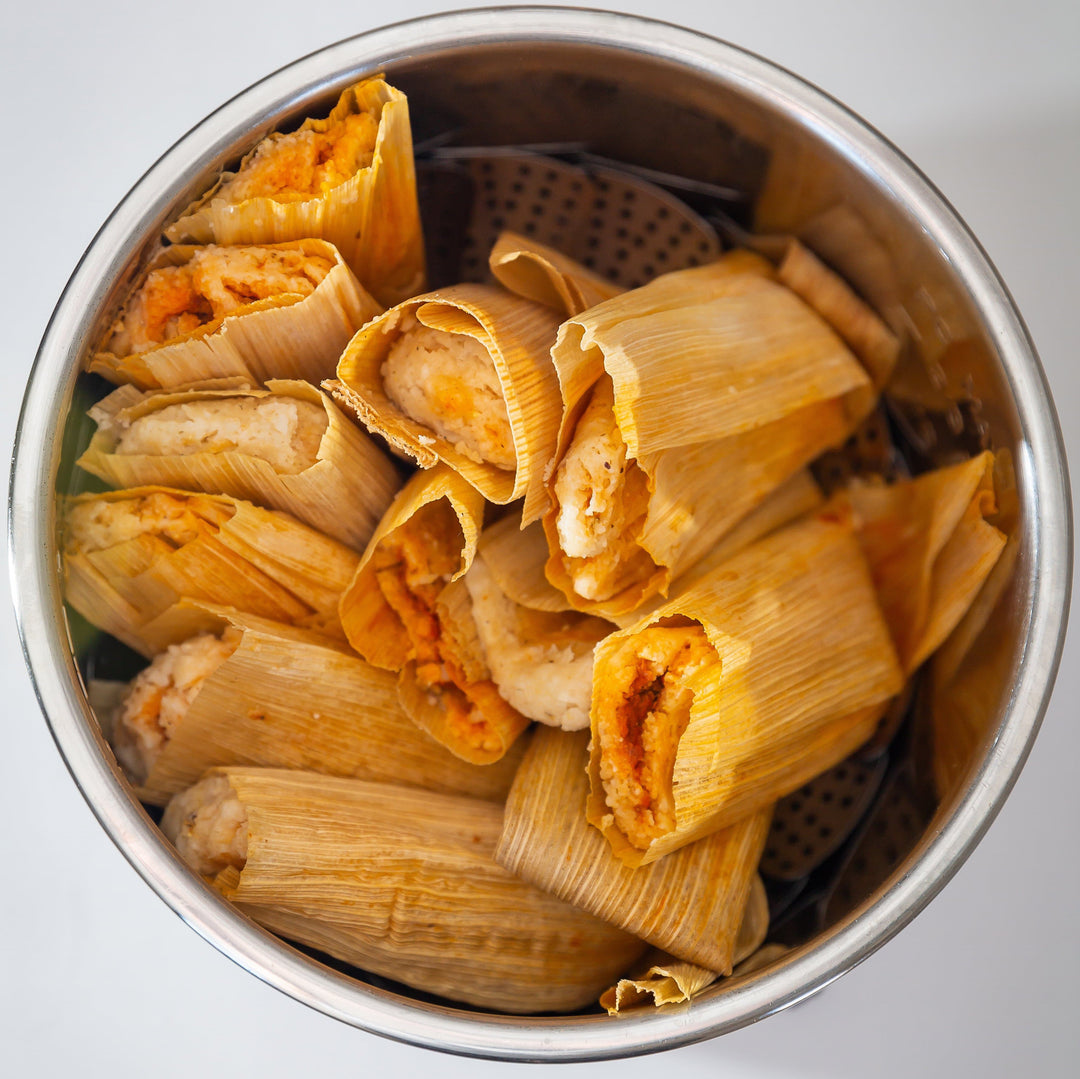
[691,903]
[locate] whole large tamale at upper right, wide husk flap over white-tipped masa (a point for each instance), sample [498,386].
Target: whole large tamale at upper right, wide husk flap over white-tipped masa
[706,440]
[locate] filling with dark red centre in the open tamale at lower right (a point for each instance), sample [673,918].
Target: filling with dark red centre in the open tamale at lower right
[642,714]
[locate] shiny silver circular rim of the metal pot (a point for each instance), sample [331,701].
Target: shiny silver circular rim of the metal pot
[35,578]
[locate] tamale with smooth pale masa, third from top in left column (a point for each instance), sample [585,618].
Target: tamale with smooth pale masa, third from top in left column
[286,448]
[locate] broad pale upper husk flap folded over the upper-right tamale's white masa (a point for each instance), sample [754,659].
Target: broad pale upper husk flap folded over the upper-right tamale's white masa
[706,354]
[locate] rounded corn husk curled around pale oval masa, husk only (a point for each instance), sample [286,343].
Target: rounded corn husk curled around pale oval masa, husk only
[518,334]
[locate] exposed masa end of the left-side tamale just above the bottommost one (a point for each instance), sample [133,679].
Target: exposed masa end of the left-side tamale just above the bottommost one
[159,698]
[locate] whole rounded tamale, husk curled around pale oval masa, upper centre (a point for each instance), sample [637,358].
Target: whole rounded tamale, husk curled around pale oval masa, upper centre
[463,375]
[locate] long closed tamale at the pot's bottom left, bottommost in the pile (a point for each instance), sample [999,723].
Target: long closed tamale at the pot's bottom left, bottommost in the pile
[402,883]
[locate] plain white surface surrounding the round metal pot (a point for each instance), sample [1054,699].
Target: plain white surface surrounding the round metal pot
[97,975]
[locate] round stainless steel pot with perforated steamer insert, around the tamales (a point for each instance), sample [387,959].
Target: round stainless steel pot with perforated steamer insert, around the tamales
[640,147]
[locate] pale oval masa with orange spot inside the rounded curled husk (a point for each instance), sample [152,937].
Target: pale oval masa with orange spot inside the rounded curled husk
[449,384]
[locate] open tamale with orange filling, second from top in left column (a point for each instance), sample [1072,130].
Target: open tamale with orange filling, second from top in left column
[255,313]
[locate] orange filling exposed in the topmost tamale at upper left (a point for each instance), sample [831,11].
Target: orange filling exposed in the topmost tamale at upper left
[305,164]
